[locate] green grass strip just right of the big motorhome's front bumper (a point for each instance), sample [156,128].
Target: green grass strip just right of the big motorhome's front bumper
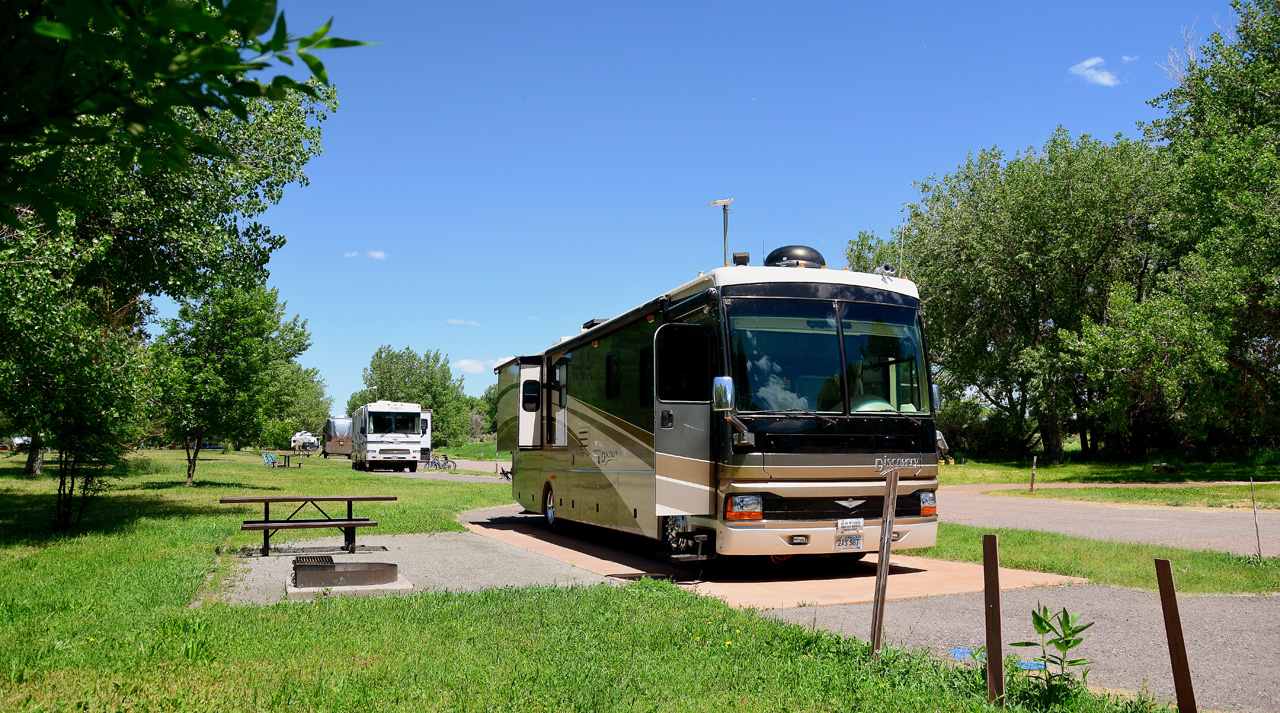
[1114,564]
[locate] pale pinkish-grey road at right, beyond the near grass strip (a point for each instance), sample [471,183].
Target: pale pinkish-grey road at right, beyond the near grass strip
[1190,529]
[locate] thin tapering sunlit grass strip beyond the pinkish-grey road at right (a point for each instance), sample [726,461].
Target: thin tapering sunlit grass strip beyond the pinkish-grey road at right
[1232,497]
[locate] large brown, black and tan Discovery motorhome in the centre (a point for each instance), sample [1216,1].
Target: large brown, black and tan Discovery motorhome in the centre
[756,410]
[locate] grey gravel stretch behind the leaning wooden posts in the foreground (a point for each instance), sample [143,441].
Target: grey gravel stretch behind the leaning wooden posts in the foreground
[1233,642]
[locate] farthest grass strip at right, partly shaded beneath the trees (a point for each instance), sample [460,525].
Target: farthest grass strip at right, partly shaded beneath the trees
[988,473]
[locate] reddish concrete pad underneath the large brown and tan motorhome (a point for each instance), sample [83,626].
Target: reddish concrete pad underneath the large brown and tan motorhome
[746,582]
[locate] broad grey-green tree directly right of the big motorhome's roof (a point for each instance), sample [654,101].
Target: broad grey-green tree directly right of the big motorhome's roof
[1017,255]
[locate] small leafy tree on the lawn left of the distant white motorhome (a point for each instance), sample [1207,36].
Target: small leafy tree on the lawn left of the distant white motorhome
[216,365]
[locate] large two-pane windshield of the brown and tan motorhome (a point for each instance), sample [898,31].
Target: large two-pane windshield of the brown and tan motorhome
[787,358]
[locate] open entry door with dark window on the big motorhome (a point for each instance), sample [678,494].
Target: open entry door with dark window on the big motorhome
[685,479]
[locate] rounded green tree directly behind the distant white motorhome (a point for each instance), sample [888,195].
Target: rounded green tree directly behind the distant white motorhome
[426,380]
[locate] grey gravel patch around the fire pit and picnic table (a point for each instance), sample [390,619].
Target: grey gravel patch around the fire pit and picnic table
[441,561]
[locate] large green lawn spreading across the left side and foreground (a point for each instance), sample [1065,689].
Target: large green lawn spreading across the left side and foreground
[104,619]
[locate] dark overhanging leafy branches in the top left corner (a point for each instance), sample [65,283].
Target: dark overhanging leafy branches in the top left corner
[113,72]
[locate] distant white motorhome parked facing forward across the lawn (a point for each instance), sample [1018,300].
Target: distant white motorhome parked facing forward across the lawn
[386,436]
